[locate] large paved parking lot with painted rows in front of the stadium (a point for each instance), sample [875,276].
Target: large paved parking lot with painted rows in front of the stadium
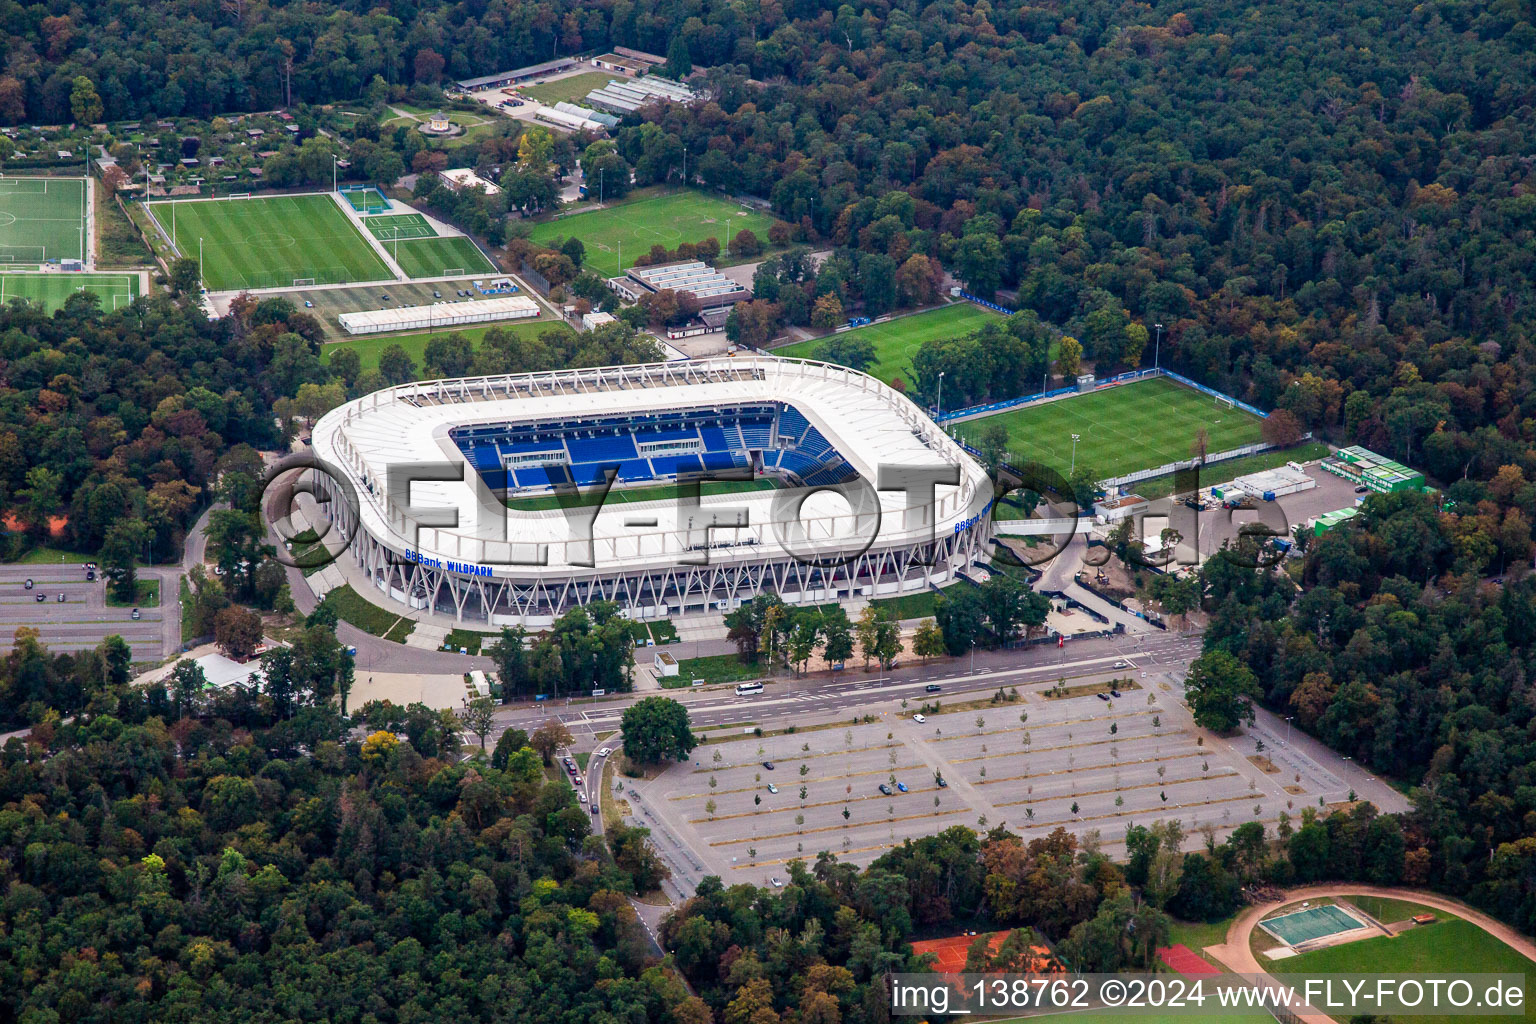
[1078,762]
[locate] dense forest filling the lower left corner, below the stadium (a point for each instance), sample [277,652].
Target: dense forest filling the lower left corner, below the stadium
[214,860]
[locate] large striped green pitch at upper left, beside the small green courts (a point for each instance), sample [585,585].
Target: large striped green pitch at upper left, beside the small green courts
[271,242]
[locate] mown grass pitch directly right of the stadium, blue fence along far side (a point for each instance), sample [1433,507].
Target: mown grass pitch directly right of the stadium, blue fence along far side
[1124,429]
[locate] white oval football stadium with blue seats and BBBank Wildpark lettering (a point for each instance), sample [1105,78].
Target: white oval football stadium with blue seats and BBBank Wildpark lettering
[855,491]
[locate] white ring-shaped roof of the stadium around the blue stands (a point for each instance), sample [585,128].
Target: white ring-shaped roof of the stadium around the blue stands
[870,424]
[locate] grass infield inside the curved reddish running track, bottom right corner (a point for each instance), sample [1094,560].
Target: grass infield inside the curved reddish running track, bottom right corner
[1429,950]
